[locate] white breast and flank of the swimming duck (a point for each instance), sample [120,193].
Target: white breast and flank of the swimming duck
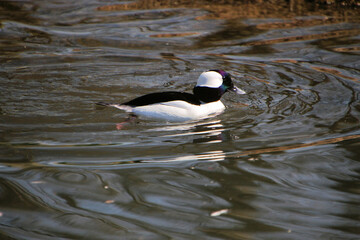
[179,111]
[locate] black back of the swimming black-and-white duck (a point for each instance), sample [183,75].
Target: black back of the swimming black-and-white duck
[153,98]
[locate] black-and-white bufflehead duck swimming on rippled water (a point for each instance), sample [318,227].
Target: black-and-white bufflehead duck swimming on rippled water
[182,106]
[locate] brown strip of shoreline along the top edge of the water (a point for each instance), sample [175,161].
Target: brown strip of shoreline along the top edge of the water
[234,9]
